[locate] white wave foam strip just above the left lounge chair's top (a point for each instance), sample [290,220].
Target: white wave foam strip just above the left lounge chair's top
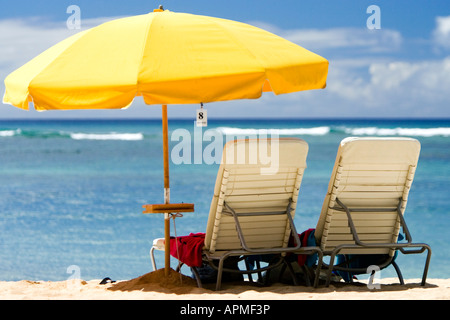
[315,131]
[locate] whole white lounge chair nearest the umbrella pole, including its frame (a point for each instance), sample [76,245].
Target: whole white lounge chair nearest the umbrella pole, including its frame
[254,202]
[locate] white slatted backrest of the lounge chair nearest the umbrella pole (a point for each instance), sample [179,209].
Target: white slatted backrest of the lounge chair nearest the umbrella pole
[256,175]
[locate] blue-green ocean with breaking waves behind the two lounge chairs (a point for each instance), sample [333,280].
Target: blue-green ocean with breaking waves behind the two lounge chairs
[71,191]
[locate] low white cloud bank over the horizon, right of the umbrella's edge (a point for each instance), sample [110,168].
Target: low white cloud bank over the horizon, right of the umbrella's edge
[393,88]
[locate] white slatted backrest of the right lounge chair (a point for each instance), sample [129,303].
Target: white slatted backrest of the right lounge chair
[371,173]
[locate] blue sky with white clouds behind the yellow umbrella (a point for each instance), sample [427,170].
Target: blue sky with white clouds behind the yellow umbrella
[393,62]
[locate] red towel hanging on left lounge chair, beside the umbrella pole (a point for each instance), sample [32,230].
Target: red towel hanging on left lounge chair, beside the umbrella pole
[189,249]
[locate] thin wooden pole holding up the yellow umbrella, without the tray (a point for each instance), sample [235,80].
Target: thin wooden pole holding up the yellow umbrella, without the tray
[166,188]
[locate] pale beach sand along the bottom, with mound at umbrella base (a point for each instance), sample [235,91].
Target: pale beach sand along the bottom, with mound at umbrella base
[154,286]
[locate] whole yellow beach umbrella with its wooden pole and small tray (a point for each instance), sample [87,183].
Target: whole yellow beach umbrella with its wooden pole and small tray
[167,58]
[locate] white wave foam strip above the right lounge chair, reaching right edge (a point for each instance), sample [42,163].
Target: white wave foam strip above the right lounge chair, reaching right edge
[421,132]
